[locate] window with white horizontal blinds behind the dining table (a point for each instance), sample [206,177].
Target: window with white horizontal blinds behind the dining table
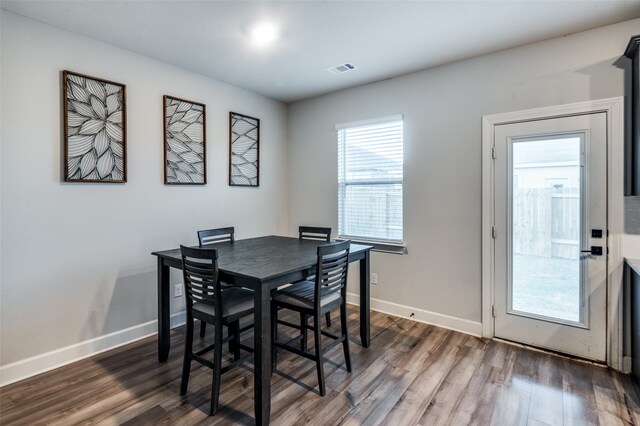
[370,180]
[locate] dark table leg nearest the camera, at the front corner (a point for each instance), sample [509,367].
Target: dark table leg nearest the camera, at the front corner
[262,342]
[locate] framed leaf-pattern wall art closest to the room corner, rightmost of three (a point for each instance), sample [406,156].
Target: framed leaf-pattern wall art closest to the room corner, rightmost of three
[244,152]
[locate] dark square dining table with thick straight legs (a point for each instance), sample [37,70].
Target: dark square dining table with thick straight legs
[261,264]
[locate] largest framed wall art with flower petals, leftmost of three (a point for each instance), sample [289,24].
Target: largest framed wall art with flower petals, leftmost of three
[95,129]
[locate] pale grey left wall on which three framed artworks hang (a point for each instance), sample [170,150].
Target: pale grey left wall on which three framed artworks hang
[76,261]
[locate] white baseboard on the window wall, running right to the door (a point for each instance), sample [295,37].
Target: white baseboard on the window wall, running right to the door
[473,328]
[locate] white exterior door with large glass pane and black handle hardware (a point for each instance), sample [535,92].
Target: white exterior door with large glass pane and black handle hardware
[550,207]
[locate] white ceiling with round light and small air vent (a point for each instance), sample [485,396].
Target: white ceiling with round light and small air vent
[381,38]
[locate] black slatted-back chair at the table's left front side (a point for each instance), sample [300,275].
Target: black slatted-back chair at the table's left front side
[207,301]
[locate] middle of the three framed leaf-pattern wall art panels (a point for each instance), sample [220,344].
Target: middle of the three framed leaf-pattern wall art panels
[184,142]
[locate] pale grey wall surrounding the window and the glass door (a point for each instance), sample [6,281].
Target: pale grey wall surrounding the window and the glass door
[442,108]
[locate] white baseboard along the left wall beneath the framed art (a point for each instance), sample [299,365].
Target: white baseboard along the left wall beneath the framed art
[29,367]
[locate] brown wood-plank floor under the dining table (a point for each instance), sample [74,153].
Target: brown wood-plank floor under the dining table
[413,374]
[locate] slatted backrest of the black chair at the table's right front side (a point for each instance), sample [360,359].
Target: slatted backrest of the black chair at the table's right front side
[331,273]
